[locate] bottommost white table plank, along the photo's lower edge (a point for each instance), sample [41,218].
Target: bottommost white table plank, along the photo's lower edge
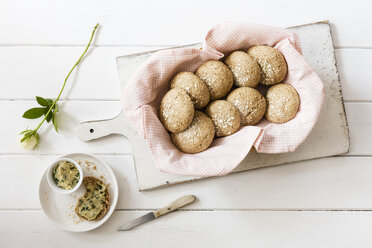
[198,229]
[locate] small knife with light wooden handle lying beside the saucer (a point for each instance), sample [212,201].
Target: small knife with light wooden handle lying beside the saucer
[180,202]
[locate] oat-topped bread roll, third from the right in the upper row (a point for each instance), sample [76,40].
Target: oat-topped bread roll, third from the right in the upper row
[218,78]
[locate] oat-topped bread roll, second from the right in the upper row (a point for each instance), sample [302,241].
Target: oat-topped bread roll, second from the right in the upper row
[245,69]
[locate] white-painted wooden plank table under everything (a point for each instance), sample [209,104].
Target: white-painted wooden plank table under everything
[319,203]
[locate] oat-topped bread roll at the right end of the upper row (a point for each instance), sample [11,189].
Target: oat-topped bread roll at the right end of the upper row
[272,63]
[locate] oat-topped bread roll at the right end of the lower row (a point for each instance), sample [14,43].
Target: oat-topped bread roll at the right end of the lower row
[282,103]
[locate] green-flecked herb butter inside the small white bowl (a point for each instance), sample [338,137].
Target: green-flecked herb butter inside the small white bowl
[66,175]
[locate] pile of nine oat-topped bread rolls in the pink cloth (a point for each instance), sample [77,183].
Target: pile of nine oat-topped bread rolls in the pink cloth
[220,97]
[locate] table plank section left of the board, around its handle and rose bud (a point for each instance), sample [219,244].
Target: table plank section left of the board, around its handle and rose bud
[71,114]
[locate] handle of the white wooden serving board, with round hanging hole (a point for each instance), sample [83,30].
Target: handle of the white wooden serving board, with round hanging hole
[91,130]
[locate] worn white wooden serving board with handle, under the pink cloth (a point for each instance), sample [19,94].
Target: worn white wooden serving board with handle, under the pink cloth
[329,136]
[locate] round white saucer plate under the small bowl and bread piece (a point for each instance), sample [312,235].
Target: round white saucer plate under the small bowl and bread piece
[61,208]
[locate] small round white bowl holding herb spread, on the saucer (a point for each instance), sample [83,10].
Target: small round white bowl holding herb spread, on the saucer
[52,182]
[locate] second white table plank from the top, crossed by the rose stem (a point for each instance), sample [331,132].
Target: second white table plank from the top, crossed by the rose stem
[43,69]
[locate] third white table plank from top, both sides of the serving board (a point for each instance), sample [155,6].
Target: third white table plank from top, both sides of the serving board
[74,112]
